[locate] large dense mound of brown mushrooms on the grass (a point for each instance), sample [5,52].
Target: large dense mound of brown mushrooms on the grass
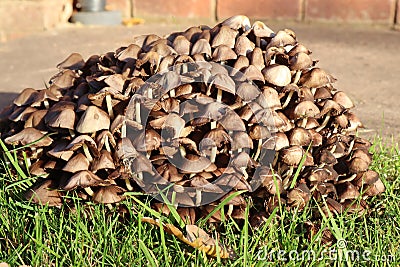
[260,91]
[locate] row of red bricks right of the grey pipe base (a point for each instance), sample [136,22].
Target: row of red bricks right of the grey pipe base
[348,11]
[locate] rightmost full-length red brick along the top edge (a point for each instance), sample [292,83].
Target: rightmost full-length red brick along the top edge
[349,10]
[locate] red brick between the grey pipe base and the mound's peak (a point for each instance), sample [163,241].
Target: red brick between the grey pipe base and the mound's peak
[174,8]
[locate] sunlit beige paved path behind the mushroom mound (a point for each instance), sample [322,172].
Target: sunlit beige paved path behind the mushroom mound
[365,61]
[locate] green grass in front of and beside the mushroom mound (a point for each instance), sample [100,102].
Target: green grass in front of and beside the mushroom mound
[93,235]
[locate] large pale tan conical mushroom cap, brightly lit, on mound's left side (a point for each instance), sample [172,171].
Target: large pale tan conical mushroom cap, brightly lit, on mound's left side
[93,119]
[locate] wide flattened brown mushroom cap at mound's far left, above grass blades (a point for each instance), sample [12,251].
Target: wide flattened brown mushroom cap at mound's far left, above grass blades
[29,136]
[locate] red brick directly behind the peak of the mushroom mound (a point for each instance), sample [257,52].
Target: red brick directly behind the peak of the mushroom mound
[261,9]
